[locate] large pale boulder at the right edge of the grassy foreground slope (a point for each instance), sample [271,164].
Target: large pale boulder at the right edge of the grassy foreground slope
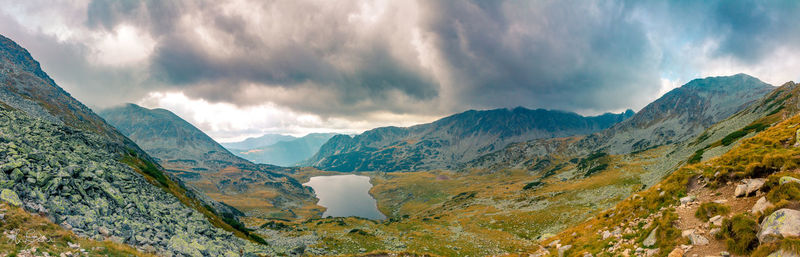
[781,223]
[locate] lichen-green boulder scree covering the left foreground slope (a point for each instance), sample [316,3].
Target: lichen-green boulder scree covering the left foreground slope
[70,175]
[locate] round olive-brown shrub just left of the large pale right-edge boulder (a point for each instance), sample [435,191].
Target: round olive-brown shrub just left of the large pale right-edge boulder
[740,233]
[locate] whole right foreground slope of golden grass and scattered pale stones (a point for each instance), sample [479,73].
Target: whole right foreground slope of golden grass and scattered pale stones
[743,203]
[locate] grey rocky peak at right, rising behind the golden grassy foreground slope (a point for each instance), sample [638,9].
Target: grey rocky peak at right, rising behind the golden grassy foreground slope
[684,112]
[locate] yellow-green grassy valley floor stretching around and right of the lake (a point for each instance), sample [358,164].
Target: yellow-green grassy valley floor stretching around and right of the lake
[475,213]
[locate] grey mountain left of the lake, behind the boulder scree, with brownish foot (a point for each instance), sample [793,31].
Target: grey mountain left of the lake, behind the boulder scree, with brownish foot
[203,163]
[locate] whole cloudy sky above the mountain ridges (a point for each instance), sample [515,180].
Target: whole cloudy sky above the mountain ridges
[243,68]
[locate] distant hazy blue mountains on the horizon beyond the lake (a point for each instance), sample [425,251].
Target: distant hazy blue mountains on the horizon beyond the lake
[287,152]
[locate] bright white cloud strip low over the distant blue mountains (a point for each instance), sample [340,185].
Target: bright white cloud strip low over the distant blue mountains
[227,122]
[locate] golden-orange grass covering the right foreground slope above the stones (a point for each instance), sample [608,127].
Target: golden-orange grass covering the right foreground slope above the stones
[770,153]
